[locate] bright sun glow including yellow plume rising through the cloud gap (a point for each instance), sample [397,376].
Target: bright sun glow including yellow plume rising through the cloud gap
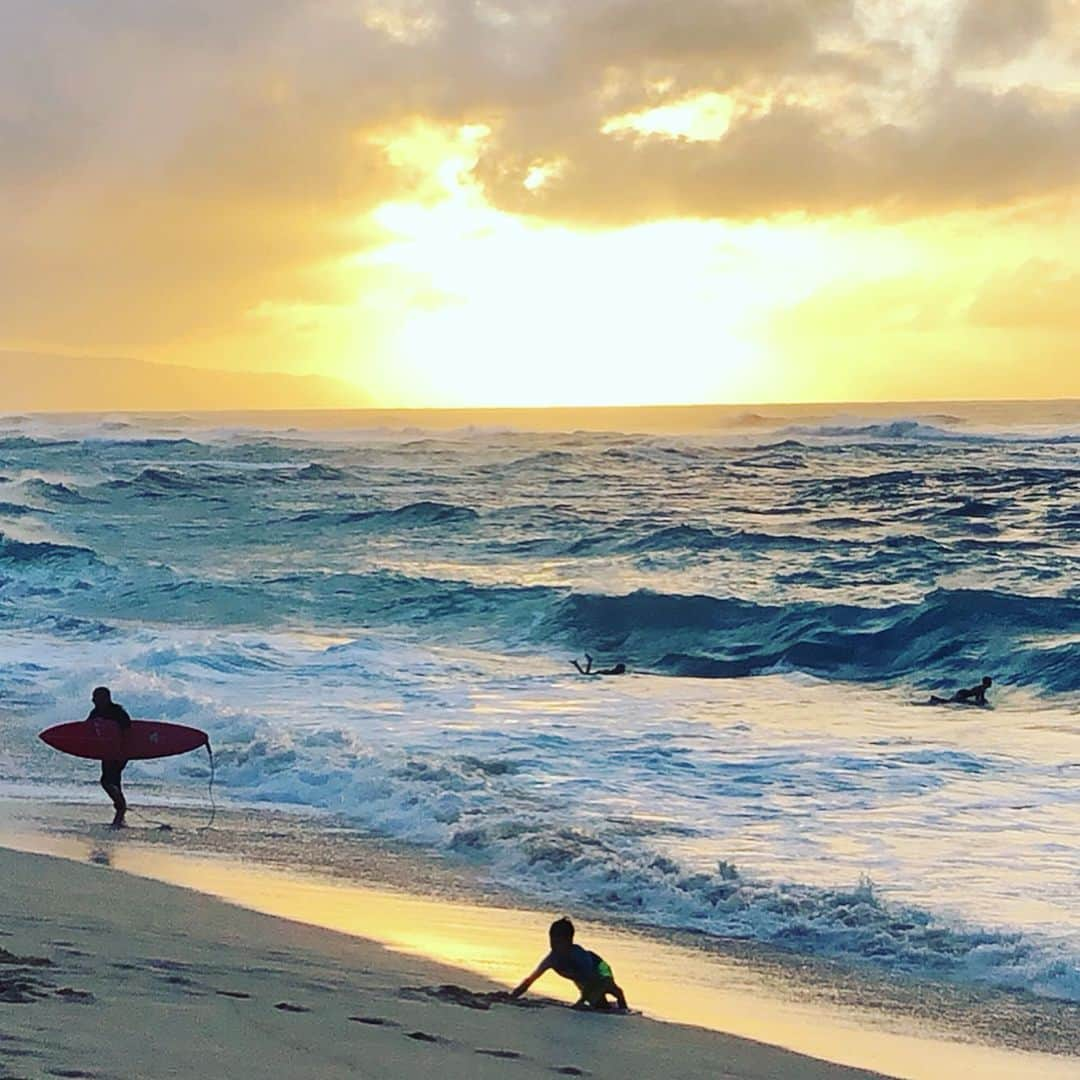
[494,310]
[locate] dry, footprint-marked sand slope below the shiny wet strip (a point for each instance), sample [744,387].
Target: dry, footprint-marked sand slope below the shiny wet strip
[105,975]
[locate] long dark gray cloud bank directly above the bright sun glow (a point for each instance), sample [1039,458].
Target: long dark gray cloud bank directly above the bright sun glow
[974,150]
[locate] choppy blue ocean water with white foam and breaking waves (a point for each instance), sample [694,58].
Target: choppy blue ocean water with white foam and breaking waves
[377,620]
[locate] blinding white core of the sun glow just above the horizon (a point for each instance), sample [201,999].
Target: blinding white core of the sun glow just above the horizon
[542,317]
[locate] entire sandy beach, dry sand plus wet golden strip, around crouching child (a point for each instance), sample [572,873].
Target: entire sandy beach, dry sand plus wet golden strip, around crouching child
[213,962]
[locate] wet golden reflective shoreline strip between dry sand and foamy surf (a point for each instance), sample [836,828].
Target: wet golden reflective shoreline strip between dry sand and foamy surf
[785,1005]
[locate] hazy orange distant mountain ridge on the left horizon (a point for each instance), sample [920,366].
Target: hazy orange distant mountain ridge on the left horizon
[43,383]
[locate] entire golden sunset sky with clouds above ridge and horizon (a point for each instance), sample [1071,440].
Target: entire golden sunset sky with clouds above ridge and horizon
[551,201]
